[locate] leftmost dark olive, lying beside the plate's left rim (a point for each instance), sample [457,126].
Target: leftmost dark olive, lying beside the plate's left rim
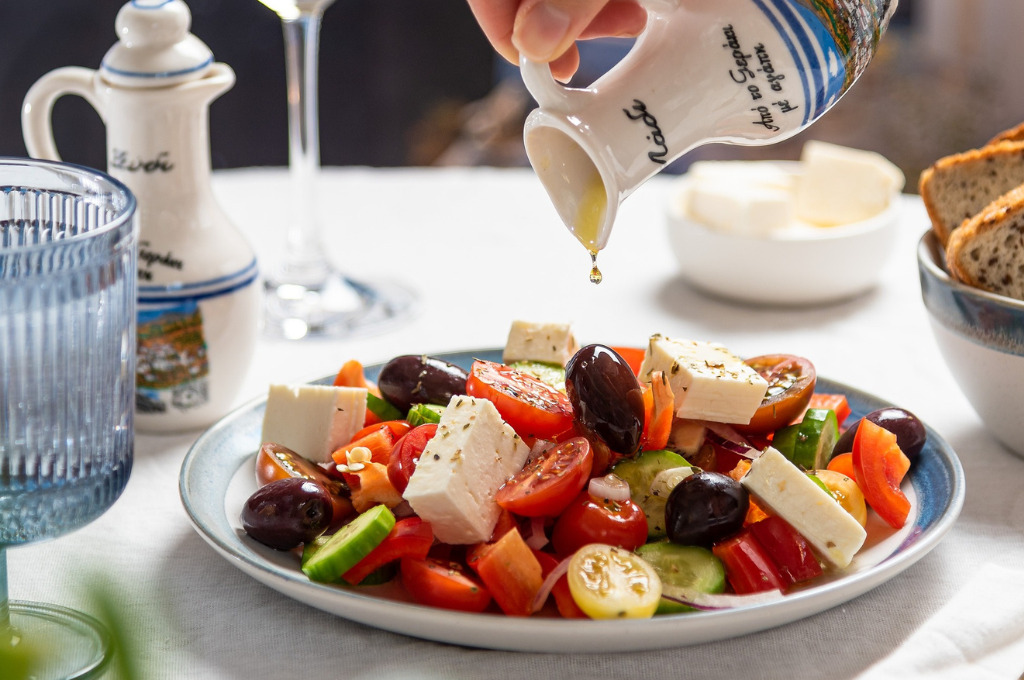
[287,514]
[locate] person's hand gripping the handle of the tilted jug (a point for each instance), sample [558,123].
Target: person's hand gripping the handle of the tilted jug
[547,30]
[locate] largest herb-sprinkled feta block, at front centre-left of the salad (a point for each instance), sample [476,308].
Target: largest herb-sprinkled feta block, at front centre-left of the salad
[461,470]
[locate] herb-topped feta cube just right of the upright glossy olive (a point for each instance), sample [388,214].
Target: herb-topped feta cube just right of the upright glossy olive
[708,381]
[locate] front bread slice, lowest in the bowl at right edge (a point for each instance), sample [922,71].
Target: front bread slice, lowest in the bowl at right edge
[988,251]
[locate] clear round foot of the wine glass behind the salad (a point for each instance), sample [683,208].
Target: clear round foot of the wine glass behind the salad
[336,308]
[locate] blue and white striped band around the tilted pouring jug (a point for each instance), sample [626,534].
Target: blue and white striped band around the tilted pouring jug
[823,72]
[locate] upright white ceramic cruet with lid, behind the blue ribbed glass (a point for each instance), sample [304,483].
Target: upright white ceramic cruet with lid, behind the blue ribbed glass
[199,303]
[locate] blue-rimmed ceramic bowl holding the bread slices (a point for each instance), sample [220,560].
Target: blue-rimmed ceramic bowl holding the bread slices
[982,337]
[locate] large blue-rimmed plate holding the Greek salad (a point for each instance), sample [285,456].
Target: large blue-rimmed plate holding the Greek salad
[218,477]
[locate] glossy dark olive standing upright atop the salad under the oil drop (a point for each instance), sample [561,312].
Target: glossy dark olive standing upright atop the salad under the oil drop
[607,398]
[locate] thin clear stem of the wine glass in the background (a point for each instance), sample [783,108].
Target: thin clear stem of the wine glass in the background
[305,260]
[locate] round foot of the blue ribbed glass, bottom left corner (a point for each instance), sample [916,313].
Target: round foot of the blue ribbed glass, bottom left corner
[64,643]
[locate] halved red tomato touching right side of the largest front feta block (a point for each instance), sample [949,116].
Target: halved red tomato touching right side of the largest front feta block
[548,484]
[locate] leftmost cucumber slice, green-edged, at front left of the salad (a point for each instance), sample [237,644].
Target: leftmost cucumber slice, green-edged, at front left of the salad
[349,545]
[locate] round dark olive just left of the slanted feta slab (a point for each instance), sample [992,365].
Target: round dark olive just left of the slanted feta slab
[704,508]
